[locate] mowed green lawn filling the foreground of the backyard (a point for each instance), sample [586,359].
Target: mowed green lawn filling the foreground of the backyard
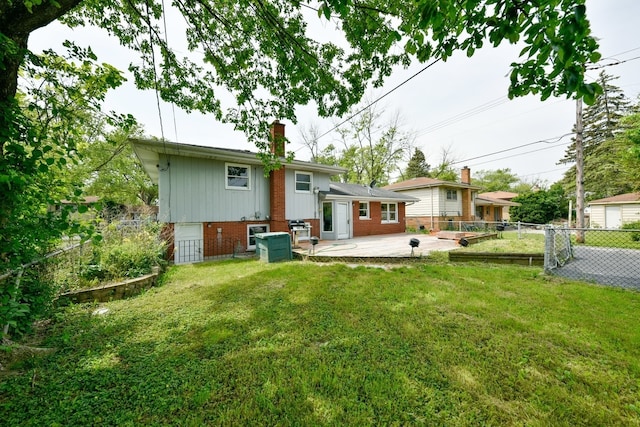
[248,343]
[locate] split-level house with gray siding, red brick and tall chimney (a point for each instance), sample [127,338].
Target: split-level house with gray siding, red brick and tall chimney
[215,200]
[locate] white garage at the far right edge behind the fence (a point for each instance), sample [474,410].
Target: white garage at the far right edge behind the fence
[613,212]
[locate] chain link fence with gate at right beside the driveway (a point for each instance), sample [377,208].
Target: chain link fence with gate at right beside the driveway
[607,257]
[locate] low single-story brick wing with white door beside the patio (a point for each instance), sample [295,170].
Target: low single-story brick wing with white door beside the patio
[352,210]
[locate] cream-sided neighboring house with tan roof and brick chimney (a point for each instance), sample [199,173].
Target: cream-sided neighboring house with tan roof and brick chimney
[440,202]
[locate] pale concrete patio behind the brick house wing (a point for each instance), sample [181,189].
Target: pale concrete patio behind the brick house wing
[379,246]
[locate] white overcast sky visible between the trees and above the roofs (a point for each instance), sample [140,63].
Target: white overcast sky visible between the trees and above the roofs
[460,104]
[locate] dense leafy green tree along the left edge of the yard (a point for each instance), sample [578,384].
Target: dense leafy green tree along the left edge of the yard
[47,122]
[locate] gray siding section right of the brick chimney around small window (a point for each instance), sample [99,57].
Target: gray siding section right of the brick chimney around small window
[303,205]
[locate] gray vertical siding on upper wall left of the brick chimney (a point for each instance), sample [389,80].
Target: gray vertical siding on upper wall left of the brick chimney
[193,190]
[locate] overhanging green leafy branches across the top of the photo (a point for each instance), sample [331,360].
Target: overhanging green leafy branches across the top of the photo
[263,53]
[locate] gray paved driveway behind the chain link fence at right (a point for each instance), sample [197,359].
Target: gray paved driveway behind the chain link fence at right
[606,266]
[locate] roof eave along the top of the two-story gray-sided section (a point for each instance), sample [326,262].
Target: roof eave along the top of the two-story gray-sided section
[149,151]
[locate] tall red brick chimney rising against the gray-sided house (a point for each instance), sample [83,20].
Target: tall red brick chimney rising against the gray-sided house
[277,182]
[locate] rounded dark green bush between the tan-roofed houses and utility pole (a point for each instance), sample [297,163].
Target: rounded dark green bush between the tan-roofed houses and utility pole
[540,207]
